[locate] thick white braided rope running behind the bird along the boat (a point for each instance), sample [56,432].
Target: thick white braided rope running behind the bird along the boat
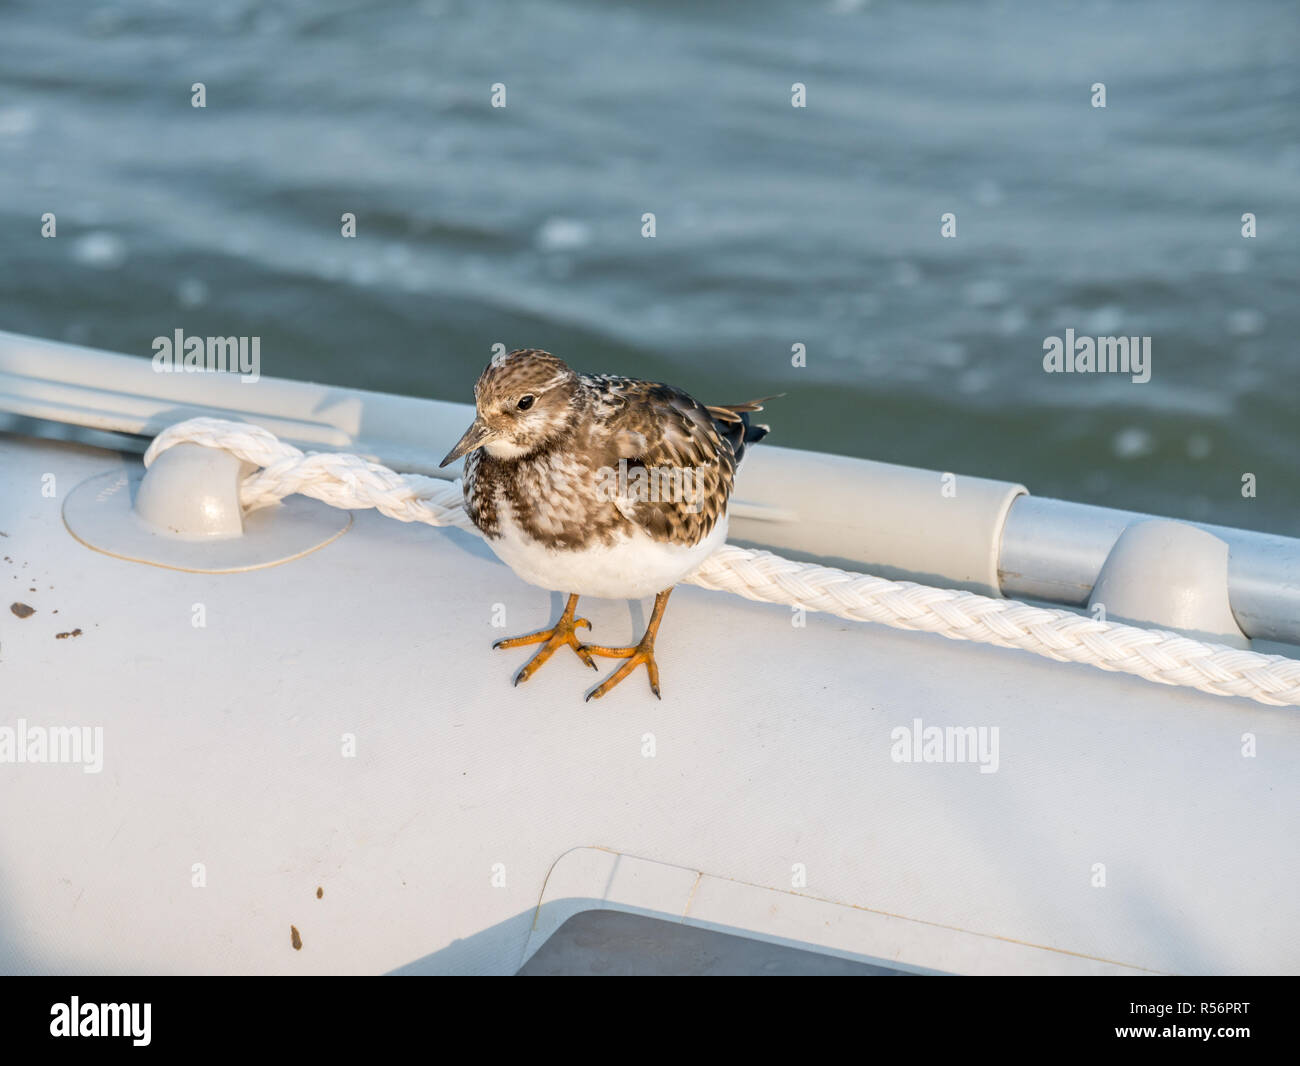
[353,483]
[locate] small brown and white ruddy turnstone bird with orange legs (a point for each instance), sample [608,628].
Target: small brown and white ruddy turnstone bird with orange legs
[599,486]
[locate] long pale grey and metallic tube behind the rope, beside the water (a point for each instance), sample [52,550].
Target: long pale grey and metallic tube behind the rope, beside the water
[898,522]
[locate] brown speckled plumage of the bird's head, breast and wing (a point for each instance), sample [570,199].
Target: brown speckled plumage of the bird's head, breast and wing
[578,430]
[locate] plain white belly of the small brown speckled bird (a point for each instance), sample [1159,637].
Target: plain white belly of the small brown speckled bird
[631,569]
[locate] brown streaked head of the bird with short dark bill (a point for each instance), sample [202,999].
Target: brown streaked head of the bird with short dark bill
[523,400]
